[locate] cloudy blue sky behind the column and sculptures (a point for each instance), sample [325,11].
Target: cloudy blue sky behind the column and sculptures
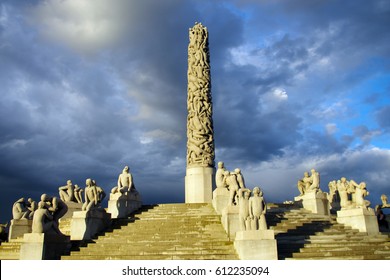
[91,86]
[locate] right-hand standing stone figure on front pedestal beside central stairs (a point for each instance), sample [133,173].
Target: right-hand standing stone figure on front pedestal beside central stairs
[257,210]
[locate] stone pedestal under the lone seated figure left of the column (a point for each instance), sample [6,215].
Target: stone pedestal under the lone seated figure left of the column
[122,205]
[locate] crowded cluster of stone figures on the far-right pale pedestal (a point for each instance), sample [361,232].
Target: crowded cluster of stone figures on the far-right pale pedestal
[351,193]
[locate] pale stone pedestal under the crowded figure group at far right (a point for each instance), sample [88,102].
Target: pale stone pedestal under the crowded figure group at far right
[361,219]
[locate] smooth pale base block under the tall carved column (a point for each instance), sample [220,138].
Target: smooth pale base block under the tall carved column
[199,184]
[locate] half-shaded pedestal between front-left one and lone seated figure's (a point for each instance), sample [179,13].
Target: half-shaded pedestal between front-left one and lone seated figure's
[86,224]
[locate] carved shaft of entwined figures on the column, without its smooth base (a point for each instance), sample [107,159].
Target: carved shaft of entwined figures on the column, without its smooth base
[200,140]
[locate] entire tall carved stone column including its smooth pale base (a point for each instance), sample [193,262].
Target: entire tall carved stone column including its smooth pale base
[200,133]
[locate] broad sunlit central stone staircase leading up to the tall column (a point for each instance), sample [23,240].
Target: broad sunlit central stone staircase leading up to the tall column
[163,232]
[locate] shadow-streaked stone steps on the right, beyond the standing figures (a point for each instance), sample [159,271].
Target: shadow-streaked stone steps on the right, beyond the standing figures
[301,234]
